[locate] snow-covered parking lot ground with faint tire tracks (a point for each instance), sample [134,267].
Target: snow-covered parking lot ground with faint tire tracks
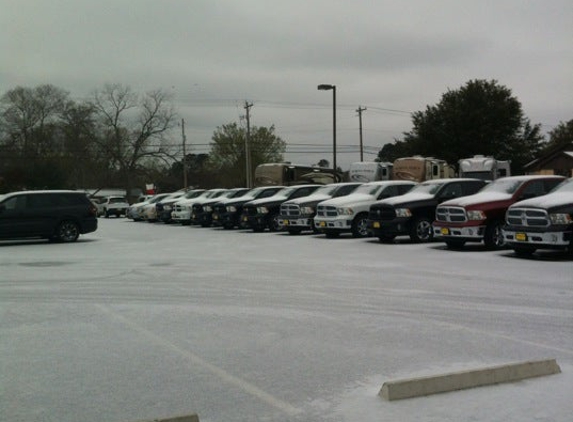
[140,321]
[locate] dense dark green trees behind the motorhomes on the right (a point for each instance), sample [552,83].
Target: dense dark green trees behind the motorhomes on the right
[481,117]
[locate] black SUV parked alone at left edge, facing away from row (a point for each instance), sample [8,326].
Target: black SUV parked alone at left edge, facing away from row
[54,214]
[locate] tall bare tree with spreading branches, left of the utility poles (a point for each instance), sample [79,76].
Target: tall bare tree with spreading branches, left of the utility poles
[134,129]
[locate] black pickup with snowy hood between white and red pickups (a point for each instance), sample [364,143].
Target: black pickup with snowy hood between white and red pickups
[412,214]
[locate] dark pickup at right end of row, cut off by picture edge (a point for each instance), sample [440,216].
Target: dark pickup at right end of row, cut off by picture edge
[545,222]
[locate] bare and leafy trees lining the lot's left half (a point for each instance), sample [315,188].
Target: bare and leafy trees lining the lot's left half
[117,138]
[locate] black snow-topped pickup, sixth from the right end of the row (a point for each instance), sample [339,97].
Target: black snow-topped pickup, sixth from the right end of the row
[264,213]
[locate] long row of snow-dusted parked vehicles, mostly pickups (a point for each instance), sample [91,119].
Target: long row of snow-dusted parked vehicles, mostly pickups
[525,213]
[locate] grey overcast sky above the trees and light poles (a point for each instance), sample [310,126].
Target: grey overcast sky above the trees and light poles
[392,57]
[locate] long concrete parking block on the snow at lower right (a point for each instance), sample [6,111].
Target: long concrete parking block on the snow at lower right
[424,386]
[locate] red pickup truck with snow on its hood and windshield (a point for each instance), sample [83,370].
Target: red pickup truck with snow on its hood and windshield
[480,217]
